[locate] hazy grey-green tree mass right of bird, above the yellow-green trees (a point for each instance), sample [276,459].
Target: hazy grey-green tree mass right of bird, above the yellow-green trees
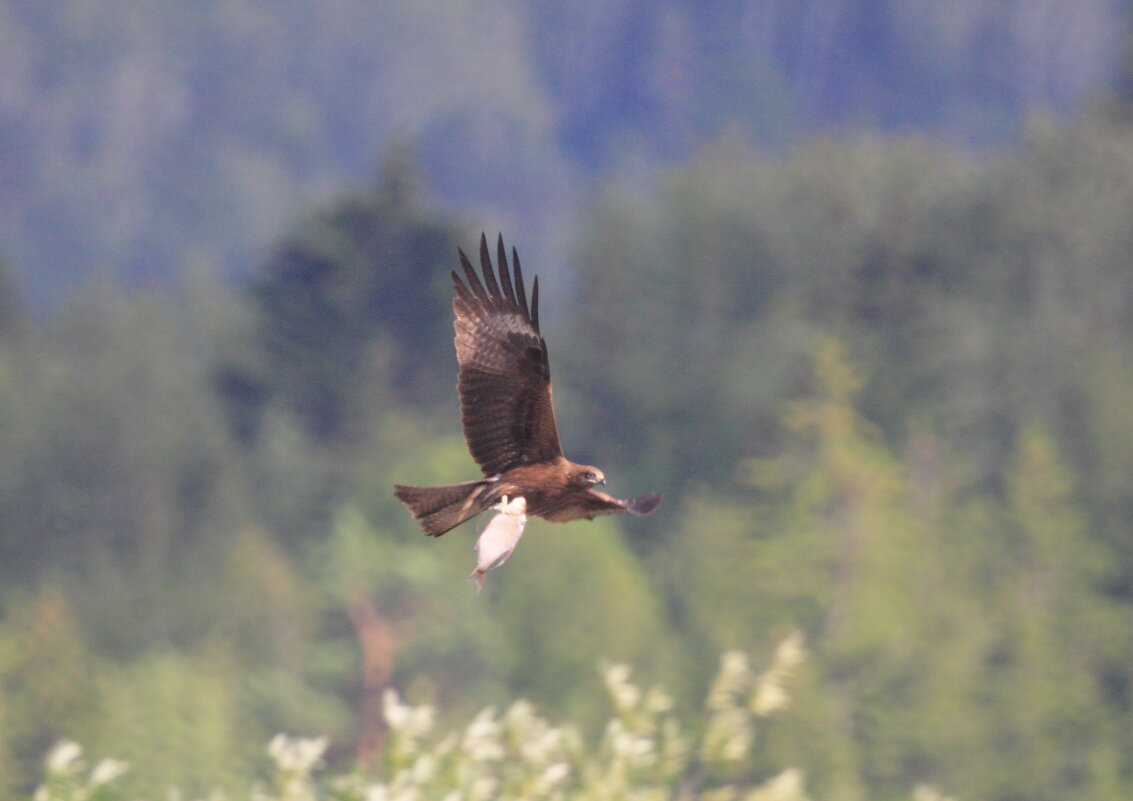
[969,291]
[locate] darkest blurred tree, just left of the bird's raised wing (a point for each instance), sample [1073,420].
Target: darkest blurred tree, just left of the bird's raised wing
[368,274]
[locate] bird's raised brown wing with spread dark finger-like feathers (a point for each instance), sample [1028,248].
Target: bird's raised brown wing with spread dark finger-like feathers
[505,380]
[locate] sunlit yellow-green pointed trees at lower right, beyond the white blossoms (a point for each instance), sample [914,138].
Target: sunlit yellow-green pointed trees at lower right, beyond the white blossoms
[949,629]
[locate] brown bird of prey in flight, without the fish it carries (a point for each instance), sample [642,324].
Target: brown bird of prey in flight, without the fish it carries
[509,421]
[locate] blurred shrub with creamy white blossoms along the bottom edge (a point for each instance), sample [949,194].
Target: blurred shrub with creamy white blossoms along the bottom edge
[646,753]
